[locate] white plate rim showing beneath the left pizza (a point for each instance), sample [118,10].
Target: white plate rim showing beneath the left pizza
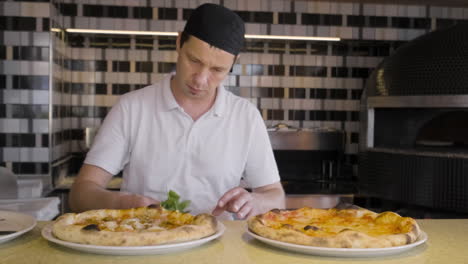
[143,250]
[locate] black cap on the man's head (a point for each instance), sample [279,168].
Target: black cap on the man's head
[217,26]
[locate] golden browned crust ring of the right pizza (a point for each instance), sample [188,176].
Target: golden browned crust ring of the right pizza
[344,237]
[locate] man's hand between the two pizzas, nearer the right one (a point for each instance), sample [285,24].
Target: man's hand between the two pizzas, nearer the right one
[236,200]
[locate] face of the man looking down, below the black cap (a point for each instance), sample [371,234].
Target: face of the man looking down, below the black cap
[200,68]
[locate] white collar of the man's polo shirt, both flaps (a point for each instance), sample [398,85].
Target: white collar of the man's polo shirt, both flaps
[169,102]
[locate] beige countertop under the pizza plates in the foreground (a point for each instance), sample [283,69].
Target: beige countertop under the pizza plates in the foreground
[447,244]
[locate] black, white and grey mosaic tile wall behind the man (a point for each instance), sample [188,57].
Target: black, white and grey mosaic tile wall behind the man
[303,84]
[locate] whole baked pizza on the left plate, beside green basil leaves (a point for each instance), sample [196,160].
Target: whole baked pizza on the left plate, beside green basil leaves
[152,225]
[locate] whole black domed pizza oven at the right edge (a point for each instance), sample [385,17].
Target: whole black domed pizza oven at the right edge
[414,124]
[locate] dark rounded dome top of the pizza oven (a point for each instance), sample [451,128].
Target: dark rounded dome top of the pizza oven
[433,64]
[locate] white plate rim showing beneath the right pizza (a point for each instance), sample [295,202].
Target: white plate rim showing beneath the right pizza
[341,252]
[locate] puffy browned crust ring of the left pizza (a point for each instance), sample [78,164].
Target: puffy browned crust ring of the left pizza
[67,227]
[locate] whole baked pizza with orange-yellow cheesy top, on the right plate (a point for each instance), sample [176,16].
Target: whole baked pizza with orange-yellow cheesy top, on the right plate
[336,228]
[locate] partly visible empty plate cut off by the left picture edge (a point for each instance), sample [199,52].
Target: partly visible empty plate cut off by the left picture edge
[13,221]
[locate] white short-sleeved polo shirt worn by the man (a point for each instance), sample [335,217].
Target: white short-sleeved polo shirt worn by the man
[160,148]
